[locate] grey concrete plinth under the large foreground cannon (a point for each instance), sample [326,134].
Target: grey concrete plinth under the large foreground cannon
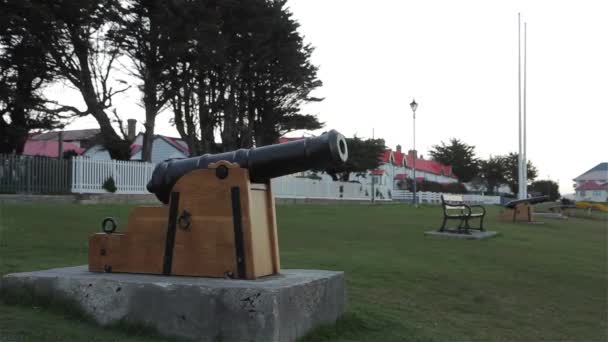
[277,308]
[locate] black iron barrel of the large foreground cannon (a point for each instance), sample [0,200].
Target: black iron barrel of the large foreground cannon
[263,163]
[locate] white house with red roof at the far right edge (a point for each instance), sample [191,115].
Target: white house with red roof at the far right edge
[593,184]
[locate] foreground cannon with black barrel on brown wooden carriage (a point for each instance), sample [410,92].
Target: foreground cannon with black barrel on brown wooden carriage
[218,217]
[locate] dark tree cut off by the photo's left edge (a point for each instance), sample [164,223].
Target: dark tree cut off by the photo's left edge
[24,72]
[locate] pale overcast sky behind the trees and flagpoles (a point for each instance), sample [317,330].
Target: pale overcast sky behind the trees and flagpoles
[458,59]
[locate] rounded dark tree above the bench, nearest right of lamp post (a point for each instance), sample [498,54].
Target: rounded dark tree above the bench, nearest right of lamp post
[460,156]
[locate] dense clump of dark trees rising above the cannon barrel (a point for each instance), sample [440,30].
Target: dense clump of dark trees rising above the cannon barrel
[244,76]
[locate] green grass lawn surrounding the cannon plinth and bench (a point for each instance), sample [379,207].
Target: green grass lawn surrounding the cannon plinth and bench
[533,283]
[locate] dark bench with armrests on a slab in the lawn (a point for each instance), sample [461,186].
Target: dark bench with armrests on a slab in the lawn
[454,208]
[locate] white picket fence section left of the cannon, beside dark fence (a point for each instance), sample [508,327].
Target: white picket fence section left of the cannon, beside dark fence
[130,177]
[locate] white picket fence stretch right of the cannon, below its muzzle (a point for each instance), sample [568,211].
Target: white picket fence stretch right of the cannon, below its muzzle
[295,187]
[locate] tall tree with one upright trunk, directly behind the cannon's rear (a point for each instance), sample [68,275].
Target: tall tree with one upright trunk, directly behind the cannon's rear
[145,34]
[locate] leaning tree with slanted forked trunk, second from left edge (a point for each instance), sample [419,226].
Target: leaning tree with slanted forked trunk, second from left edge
[72,34]
